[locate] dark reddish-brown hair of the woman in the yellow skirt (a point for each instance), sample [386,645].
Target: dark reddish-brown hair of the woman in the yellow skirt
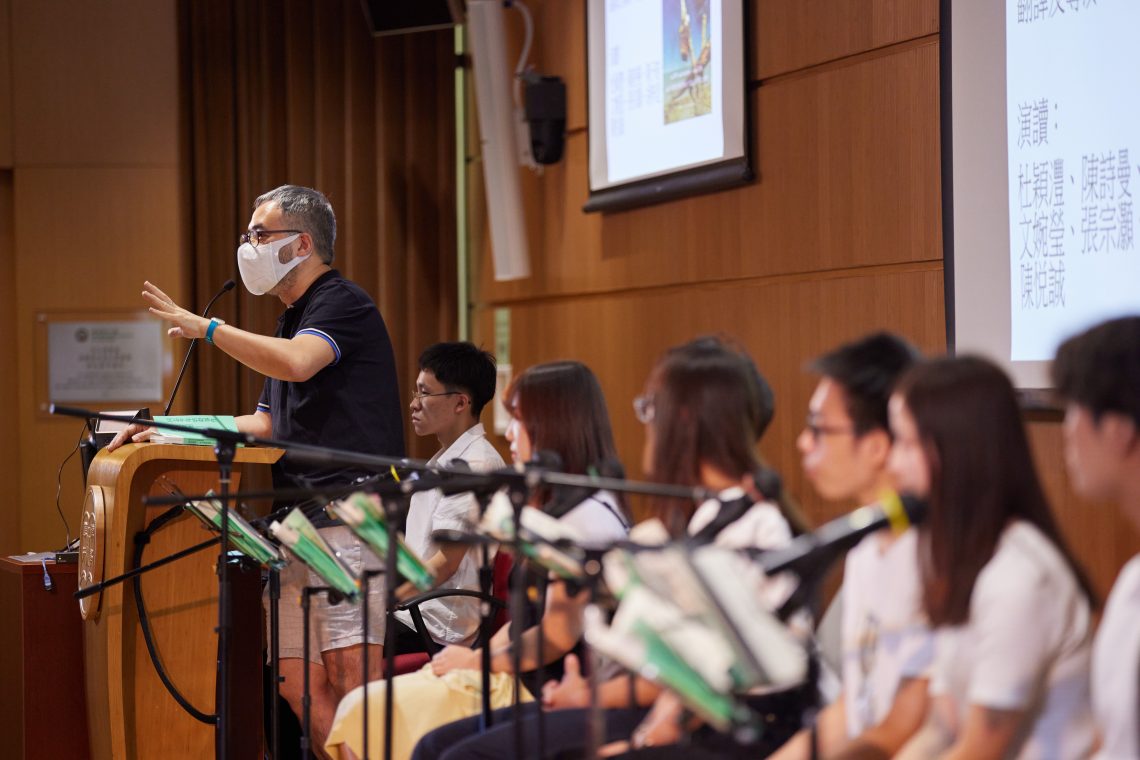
[563,408]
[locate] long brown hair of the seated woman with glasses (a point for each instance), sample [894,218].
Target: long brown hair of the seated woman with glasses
[711,406]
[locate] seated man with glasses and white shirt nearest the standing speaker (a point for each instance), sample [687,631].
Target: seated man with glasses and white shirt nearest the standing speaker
[455,383]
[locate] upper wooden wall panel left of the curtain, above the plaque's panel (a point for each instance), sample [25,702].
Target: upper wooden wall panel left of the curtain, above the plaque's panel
[95,83]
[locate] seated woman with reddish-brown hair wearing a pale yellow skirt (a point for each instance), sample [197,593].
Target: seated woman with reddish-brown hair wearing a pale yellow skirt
[555,407]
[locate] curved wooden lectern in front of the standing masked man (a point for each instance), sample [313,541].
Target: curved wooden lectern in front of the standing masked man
[132,715]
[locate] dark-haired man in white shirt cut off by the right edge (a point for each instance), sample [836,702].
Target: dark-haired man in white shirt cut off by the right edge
[1098,374]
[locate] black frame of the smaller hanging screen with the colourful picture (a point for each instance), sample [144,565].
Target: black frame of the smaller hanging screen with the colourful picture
[683,183]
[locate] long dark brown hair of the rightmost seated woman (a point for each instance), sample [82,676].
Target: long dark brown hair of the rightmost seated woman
[982,478]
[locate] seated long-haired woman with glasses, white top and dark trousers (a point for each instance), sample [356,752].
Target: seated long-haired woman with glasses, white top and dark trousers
[705,408]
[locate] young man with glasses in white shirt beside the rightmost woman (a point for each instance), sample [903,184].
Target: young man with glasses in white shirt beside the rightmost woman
[886,644]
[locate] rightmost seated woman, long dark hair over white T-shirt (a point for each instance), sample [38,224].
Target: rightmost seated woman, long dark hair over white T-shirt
[1012,608]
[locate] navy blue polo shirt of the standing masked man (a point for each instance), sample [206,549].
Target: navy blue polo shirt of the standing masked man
[353,404]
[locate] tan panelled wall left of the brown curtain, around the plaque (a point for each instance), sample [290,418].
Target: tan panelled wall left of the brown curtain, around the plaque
[93,113]
